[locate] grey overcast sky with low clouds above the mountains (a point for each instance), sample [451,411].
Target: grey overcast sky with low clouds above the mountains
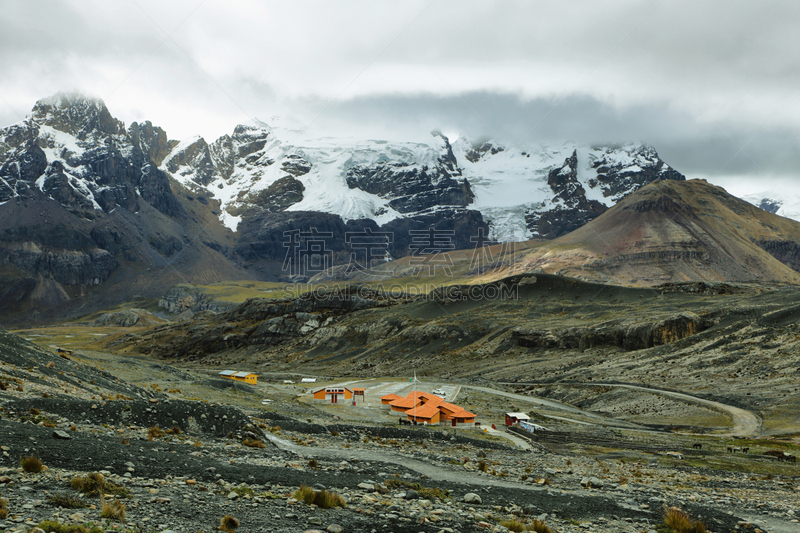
[714,86]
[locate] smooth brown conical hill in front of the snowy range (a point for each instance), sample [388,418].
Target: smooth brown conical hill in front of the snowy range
[673,231]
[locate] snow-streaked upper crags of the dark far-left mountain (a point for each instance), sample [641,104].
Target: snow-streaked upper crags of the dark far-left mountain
[73,150]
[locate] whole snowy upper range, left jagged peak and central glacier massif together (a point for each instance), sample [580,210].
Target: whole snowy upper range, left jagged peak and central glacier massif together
[72,149]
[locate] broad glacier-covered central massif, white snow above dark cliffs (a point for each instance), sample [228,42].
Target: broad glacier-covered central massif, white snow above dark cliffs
[538,191]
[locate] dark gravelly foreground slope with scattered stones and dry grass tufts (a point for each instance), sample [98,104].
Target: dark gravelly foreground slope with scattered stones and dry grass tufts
[86,420]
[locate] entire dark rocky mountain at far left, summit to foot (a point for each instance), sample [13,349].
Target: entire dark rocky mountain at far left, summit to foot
[89,220]
